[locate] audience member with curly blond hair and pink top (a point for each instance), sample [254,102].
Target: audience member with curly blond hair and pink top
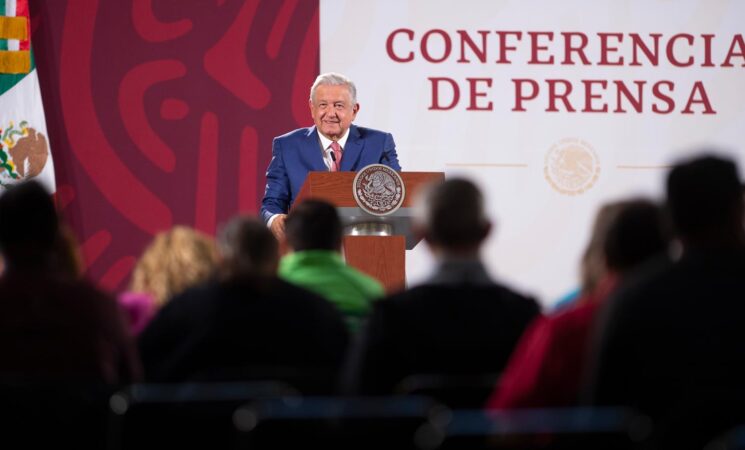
[175,260]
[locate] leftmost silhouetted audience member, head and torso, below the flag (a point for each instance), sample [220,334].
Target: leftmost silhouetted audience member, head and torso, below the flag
[54,326]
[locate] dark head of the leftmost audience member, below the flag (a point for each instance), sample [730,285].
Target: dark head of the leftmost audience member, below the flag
[29,226]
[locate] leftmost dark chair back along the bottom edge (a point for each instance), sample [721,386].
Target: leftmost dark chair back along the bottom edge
[182,415]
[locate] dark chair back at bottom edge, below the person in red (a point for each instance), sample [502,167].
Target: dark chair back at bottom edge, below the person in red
[555,429]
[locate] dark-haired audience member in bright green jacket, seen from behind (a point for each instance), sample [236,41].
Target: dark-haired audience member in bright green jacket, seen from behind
[314,234]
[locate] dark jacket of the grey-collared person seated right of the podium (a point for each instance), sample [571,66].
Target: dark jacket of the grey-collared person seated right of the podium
[438,329]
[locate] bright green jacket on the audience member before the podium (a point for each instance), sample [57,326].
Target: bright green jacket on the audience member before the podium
[325,273]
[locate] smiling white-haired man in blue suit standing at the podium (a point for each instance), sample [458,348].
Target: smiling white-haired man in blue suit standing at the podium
[332,144]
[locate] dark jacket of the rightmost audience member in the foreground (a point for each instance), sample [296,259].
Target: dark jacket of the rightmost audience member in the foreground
[670,345]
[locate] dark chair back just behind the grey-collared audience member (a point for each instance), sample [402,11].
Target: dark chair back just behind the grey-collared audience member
[453,390]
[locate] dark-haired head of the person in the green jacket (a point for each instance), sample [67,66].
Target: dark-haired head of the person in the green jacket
[313,225]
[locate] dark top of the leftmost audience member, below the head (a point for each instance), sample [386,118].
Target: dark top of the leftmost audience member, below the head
[56,329]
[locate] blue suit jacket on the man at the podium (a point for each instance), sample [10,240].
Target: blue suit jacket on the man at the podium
[298,152]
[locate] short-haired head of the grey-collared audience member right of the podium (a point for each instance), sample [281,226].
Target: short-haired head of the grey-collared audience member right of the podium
[451,218]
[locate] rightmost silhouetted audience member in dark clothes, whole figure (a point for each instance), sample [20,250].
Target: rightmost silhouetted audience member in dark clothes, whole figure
[670,343]
